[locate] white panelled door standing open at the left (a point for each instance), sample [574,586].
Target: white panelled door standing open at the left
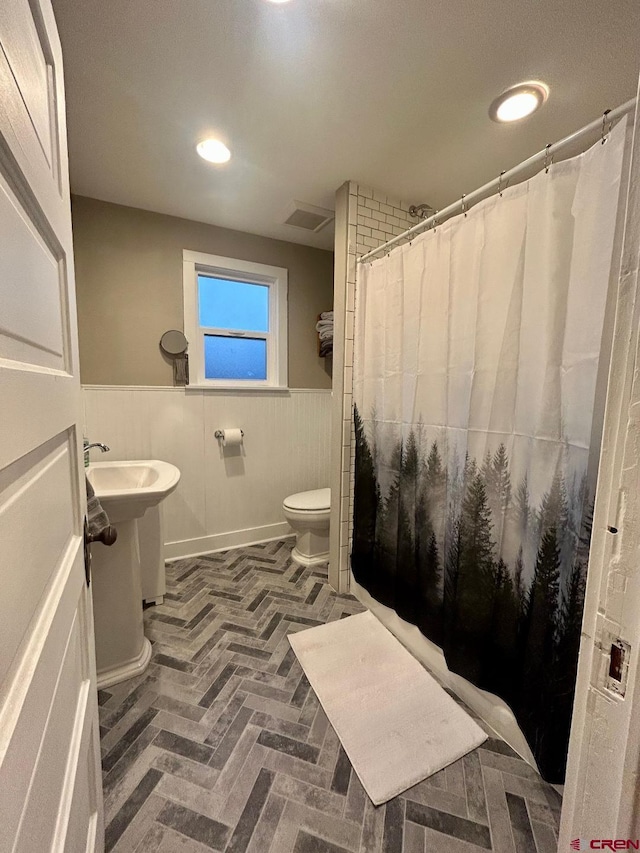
[50,795]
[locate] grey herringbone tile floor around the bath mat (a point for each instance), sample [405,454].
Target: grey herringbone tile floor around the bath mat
[221,744]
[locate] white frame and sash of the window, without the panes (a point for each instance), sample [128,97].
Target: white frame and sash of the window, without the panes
[233,269]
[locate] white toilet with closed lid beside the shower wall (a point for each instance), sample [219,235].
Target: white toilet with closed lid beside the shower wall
[308,515]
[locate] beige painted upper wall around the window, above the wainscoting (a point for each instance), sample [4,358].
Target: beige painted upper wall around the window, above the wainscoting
[129,290]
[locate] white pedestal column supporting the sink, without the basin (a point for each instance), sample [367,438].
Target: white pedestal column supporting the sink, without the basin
[122,650]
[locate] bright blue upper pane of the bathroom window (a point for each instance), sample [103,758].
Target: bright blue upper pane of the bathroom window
[224,304]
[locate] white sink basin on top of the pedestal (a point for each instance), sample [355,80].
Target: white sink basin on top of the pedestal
[126,490]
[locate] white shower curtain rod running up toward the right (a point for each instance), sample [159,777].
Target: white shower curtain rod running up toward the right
[544,156]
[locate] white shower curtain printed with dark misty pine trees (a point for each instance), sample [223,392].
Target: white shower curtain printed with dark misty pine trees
[477,351]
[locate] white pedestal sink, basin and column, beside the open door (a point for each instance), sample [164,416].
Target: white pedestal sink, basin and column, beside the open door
[126,491]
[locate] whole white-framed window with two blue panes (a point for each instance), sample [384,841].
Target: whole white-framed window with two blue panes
[235,315]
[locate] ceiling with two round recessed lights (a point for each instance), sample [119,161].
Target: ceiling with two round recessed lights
[390,93]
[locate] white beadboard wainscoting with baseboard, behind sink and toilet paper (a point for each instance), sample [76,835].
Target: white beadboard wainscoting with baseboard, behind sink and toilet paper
[225,498]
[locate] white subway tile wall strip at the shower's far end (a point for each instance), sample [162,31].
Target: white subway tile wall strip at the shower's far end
[373,218]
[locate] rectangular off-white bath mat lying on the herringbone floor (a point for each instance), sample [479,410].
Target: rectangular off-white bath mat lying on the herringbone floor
[395,722]
